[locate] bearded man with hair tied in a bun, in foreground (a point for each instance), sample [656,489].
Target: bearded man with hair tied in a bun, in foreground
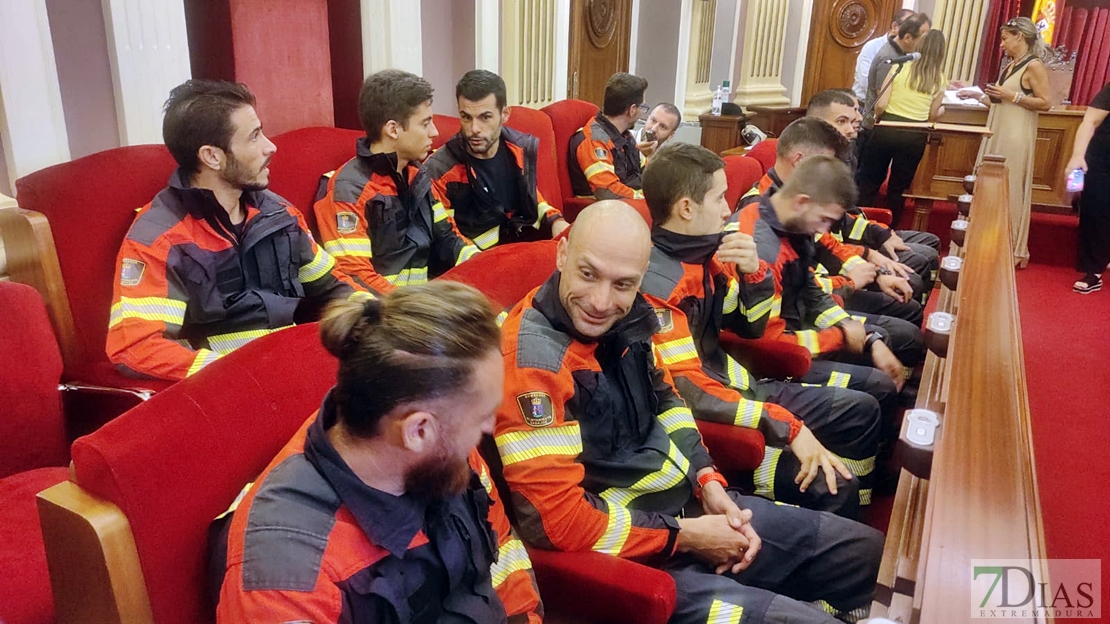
[380,509]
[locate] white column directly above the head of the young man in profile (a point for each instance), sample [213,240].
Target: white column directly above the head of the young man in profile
[391,36]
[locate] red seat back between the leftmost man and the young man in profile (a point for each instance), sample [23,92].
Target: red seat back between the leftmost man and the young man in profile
[304,156]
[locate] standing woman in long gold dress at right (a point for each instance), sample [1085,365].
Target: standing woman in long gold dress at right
[1022,93]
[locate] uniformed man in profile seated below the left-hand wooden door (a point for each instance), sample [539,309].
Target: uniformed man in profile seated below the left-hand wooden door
[603,158]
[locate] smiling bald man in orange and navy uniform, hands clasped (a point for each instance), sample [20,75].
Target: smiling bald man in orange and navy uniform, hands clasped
[602,455]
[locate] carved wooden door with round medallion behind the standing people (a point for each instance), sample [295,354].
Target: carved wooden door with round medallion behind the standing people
[840,29]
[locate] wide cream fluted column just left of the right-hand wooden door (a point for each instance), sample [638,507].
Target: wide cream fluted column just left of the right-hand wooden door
[761,80]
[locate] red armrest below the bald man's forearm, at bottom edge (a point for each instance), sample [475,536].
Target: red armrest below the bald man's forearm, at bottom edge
[601,589]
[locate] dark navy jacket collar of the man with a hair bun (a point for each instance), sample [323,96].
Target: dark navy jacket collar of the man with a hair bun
[391,522]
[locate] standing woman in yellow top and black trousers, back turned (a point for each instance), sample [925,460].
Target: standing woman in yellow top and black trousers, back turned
[912,95]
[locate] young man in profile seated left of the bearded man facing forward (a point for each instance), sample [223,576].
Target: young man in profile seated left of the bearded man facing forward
[379,217]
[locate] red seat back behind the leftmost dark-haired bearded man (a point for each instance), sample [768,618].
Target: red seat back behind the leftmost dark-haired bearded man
[90,204]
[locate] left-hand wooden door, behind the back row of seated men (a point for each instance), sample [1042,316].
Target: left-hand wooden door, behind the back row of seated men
[600,34]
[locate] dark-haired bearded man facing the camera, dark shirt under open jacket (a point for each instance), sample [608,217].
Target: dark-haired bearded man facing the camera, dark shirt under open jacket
[488,174]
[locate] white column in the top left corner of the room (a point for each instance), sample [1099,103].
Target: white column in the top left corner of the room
[32,117]
